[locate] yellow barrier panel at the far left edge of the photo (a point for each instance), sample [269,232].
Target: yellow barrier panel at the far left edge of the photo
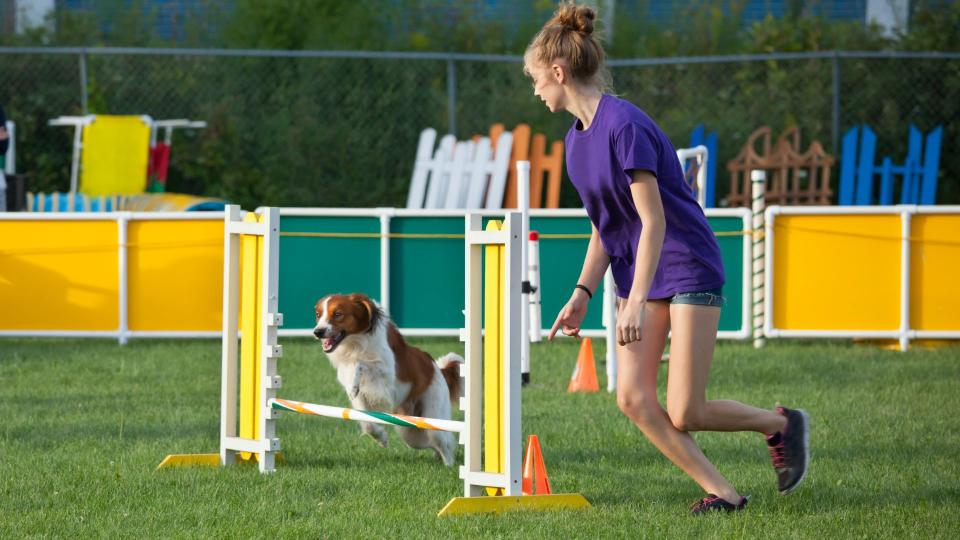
[59,275]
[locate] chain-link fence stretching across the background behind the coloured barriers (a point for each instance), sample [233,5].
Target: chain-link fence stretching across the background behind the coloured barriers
[341,128]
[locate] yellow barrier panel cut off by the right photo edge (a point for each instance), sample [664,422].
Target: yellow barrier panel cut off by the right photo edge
[934,260]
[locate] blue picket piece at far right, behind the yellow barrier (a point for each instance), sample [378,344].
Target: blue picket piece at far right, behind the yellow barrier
[918,173]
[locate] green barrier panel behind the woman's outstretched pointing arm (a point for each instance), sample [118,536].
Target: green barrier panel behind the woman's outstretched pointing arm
[561,260]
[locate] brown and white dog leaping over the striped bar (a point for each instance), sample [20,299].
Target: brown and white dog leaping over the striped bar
[380,372]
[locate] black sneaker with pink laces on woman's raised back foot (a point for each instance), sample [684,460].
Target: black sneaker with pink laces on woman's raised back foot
[790,449]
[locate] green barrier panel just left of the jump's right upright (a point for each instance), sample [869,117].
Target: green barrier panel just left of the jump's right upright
[427,274]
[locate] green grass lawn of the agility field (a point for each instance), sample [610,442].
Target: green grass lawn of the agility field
[84,423]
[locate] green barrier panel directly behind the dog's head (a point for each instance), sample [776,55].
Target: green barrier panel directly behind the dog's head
[315,266]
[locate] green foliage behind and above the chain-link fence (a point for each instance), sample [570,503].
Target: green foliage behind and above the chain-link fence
[342,132]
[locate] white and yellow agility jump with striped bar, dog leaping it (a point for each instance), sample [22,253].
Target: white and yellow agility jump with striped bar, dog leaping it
[490,431]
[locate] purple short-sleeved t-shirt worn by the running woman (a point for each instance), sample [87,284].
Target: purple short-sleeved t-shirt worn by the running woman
[622,138]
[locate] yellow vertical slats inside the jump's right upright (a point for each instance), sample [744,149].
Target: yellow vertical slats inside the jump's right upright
[493,358]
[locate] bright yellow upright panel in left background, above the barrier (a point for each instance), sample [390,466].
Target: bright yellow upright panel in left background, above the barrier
[114,156]
